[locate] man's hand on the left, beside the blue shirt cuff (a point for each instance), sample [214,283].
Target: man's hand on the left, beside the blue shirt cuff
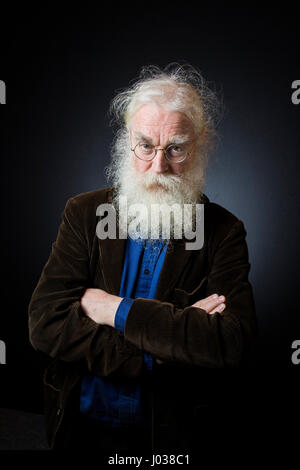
[100,306]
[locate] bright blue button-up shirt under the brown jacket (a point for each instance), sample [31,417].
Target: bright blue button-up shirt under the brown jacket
[126,401]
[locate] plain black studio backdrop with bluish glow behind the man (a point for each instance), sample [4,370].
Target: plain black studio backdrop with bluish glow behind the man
[61,71]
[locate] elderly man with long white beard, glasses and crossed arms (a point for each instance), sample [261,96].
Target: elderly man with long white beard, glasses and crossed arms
[133,323]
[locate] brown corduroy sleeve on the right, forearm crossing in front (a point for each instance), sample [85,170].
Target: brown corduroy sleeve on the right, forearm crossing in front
[191,336]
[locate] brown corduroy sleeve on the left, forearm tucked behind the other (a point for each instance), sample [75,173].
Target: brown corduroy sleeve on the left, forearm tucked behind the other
[58,326]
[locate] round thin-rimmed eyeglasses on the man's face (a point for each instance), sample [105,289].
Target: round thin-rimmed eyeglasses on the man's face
[174,153]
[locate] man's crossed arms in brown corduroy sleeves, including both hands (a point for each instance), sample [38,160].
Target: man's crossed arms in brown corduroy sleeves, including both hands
[70,321]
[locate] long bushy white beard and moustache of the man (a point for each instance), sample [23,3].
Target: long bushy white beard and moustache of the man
[151,189]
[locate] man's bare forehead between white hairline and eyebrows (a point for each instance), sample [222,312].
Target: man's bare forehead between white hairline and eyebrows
[152,118]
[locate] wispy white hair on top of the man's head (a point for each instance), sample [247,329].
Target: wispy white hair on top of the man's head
[176,87]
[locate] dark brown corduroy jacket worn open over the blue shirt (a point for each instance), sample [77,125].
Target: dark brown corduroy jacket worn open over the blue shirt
[186,339]
